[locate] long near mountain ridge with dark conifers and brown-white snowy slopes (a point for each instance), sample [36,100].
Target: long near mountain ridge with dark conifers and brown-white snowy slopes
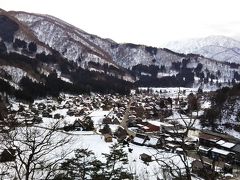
[43,49]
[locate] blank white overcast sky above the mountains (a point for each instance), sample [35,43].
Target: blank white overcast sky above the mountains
[151,22]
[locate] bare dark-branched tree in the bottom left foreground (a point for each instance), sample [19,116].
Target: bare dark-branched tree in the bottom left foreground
[38,151]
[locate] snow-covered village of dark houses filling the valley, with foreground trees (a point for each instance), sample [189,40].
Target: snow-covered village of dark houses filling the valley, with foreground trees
[156,133]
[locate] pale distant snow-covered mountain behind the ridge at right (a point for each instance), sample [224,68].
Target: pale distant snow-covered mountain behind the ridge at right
[220,48]
